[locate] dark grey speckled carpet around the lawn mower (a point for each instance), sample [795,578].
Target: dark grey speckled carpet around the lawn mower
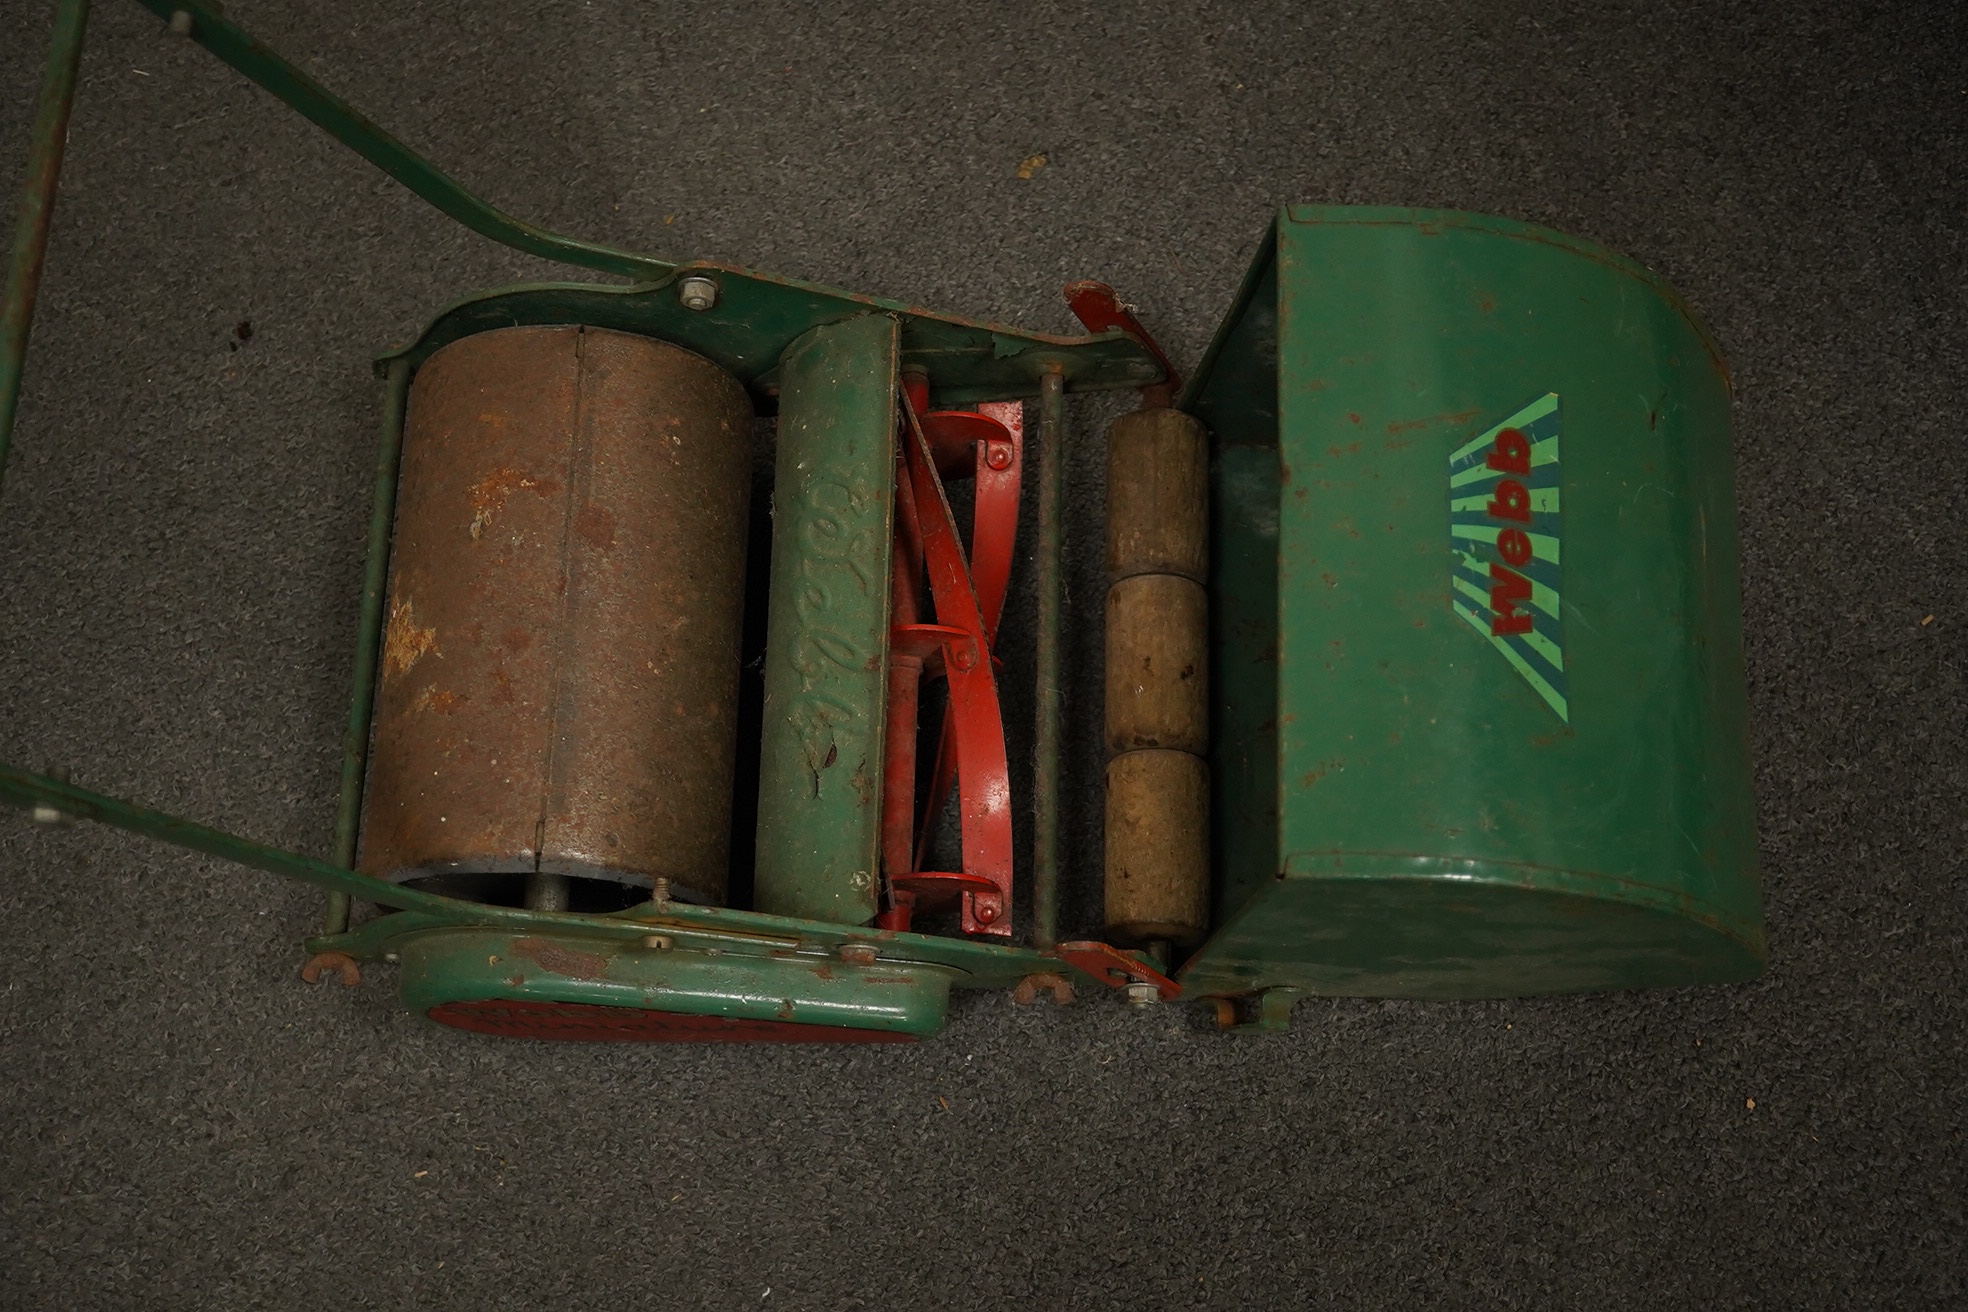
[186,1126]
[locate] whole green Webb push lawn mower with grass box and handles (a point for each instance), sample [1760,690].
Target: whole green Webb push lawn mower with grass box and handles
[1424,646]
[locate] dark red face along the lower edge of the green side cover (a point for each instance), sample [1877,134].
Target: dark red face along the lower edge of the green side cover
[595,1024]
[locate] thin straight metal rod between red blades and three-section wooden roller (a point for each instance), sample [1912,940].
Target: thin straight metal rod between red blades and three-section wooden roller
[1050,703]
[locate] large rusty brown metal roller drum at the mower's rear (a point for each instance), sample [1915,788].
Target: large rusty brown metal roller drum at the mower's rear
[560,668]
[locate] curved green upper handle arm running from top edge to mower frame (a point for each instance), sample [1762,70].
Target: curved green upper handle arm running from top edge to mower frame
[210,29]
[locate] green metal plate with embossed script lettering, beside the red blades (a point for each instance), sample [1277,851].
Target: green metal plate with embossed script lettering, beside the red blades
[820,798]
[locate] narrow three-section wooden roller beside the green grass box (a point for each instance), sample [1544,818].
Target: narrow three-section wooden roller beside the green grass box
[1158,680]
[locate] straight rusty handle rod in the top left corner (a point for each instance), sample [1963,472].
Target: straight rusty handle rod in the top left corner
[38,208]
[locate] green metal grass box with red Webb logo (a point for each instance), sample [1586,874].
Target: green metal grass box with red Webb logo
[1465,809]
